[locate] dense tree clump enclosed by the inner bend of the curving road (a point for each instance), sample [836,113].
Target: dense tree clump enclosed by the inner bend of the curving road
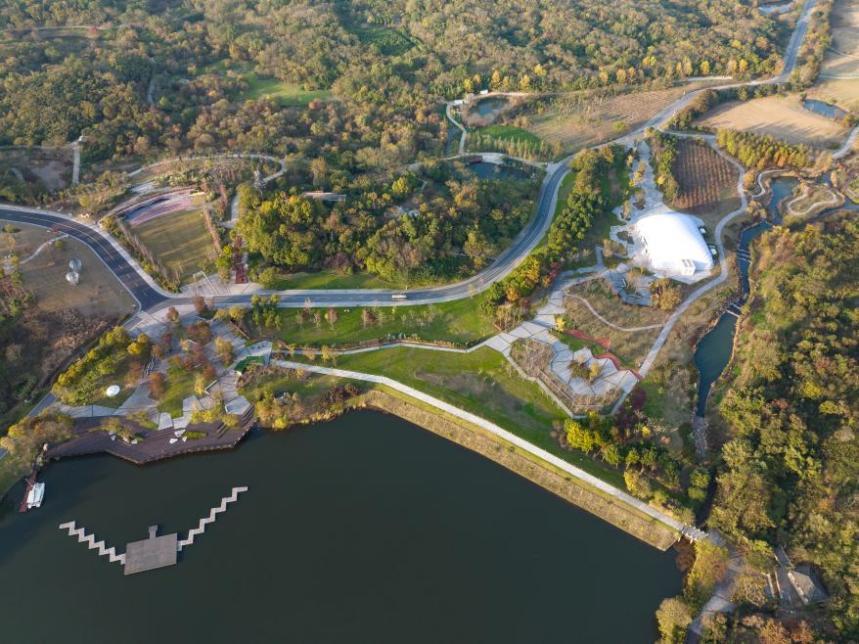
[441,224]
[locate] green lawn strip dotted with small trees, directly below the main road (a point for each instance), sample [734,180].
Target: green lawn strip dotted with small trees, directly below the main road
[461,322]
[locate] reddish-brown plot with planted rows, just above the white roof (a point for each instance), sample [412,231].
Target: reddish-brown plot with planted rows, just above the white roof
[707,182]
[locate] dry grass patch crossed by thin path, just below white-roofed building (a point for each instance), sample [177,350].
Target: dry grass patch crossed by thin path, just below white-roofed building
[629,346]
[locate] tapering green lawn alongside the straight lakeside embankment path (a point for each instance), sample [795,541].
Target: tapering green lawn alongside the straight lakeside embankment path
[481,382]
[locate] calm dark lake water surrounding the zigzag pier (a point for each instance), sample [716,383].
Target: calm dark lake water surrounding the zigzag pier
[363,529]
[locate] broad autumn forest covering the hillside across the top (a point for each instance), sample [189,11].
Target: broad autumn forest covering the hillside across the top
[149,75]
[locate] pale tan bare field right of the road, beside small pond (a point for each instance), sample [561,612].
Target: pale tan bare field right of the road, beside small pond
[783,117]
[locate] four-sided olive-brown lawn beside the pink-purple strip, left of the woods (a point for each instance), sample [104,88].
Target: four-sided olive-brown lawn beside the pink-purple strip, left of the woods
[179,240]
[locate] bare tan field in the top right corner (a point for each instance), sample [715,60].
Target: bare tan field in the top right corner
[838,82]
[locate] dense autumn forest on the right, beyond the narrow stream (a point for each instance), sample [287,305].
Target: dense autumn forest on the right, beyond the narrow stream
[790,464]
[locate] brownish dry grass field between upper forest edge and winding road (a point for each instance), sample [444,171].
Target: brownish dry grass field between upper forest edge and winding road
[583,119]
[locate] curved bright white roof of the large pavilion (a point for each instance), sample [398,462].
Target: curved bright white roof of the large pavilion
[673,244]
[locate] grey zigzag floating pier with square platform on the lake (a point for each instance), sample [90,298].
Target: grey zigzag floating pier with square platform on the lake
[155,551]
